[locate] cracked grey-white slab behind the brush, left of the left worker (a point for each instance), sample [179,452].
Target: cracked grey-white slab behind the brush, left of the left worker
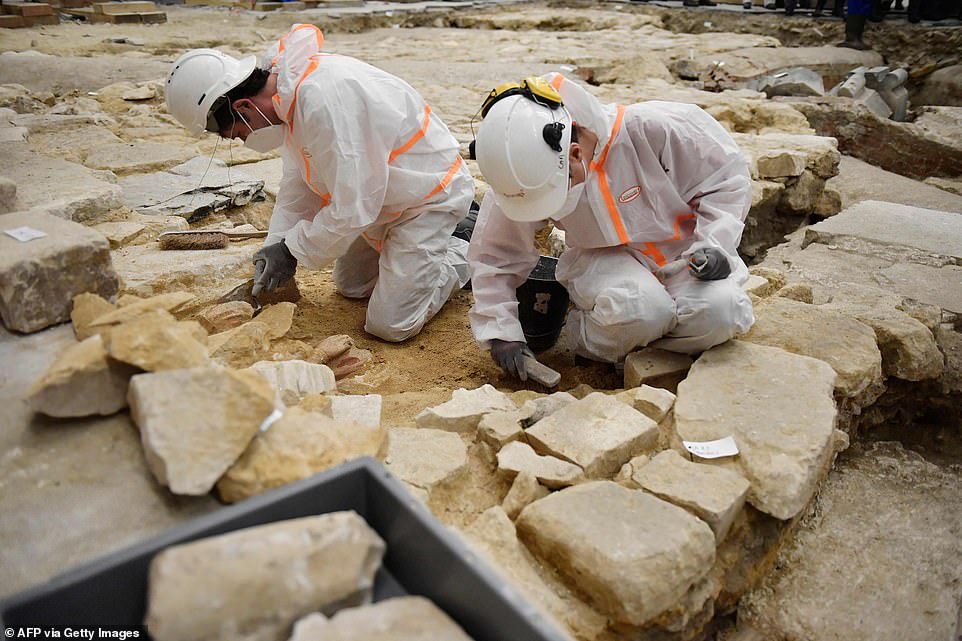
[190,189]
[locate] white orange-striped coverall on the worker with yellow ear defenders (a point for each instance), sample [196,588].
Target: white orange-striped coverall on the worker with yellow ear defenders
[666,179]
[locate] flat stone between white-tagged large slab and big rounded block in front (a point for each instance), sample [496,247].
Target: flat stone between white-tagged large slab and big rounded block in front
[713,494]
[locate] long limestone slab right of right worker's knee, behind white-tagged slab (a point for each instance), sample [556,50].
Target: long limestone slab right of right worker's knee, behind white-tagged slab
[841,341]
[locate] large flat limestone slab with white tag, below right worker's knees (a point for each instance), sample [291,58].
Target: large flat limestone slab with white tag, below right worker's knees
[777,406]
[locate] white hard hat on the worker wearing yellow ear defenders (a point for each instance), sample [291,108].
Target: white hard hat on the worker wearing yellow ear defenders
[522,150]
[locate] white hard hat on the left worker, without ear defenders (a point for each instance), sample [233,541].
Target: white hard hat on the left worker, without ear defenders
[196,81]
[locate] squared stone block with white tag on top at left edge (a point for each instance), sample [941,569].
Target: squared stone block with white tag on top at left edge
[40,277]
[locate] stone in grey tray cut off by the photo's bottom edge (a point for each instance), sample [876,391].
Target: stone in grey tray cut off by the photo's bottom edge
[409,618]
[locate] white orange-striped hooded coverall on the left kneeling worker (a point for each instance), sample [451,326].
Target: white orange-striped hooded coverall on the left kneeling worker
[373,179]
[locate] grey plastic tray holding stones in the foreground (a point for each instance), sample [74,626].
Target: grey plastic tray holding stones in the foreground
[422,558]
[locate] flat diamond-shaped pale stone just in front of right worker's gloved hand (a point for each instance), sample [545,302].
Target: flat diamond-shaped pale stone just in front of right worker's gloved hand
[597,433]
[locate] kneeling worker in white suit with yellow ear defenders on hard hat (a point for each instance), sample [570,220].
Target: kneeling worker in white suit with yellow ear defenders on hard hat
[640,191]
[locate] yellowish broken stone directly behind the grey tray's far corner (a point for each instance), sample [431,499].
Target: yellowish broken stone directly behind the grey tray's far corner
[299,444]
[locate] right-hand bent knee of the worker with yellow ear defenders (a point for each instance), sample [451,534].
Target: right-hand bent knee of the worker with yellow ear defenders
[708,313]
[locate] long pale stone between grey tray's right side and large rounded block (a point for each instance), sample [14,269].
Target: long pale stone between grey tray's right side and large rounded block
[494,534]
